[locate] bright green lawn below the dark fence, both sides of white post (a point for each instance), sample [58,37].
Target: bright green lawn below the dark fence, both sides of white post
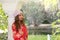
[43,37]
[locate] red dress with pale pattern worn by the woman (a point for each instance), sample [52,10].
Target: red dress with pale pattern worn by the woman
[21,34]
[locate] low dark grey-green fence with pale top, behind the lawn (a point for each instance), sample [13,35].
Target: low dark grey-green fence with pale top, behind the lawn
[41,29]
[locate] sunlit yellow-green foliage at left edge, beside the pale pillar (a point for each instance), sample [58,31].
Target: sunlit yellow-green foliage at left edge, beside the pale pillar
[3,19]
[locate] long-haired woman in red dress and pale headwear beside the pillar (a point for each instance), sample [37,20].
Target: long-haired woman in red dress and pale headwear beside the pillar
[19,29]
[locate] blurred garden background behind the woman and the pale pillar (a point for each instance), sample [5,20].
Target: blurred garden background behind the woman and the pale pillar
[42,18]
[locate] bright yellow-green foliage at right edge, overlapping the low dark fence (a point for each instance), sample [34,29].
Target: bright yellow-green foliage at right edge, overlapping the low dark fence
[56,24]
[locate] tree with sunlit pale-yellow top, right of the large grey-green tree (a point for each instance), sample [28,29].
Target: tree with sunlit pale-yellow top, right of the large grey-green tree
[51,9]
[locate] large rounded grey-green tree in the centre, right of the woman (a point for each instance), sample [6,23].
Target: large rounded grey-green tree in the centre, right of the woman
[34,12]
